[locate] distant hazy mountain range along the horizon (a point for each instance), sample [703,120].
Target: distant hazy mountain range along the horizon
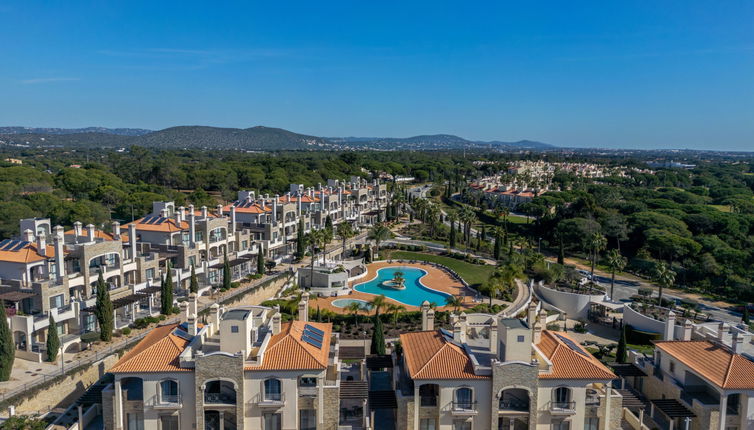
[250,139]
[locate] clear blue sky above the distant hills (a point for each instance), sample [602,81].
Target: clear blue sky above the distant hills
[636,74]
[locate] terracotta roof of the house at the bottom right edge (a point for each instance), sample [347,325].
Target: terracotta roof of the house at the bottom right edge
[714,362]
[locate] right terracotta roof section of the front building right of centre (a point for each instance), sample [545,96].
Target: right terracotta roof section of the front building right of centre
[568,363]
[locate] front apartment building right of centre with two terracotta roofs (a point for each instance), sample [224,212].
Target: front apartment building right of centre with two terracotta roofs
[501,373]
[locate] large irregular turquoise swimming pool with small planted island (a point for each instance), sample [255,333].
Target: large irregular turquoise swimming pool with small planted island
[413,295]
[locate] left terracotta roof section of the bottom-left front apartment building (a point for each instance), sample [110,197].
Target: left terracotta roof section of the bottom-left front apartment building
[157,352]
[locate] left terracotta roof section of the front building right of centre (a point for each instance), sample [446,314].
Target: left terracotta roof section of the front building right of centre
[429,355]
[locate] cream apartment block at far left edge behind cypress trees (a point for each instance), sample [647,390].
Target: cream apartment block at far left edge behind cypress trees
[53,272]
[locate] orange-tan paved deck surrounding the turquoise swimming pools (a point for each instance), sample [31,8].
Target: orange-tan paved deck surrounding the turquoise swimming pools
[436,279]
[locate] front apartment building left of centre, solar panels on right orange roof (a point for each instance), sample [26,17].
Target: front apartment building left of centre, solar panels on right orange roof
[242,369]
